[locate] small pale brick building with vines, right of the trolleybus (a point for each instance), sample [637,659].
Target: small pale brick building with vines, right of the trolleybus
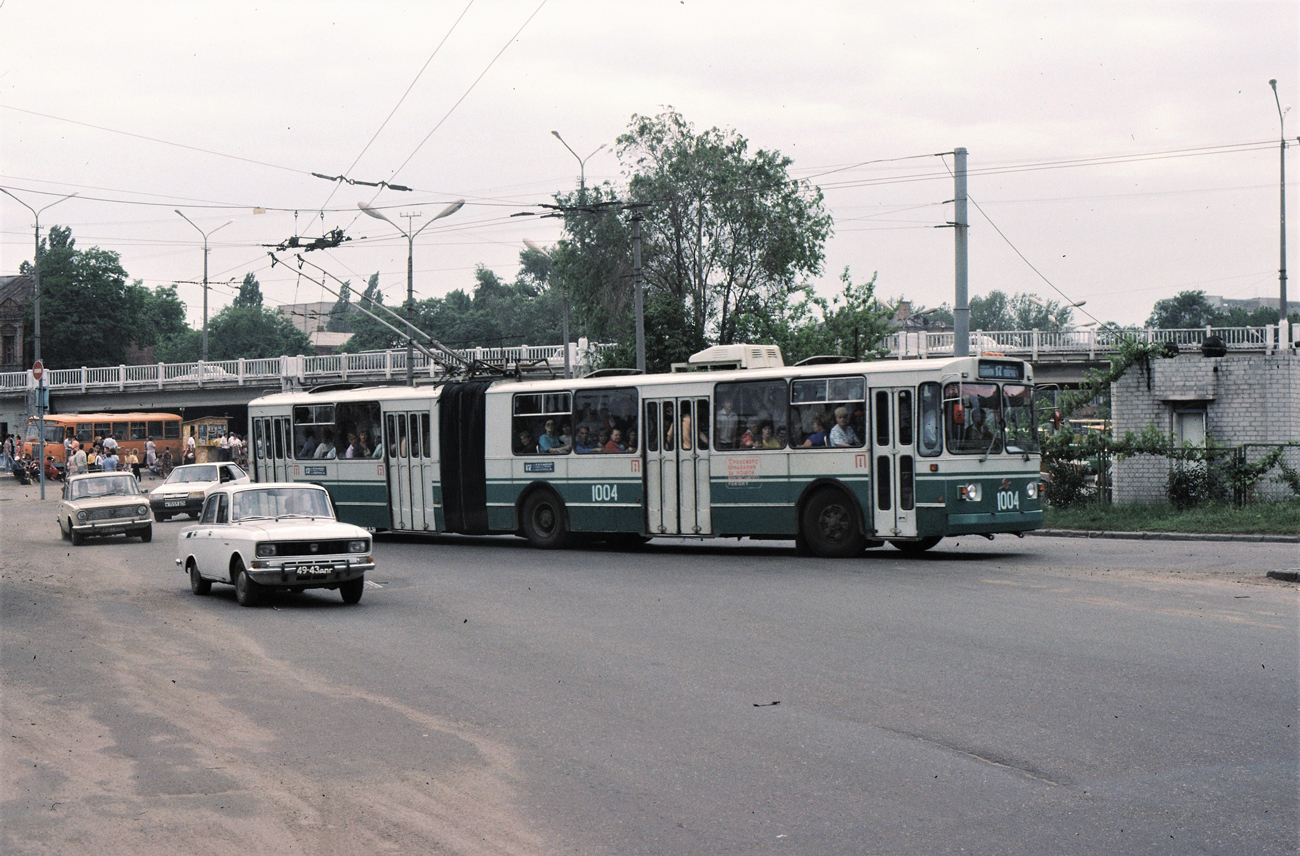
[1241,399]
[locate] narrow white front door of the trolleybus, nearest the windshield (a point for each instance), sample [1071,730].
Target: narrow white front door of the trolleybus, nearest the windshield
[895,462]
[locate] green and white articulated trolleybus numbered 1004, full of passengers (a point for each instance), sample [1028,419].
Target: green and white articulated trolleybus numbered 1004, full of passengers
[840,457]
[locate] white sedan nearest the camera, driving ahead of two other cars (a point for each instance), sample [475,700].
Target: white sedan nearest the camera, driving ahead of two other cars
[274,537]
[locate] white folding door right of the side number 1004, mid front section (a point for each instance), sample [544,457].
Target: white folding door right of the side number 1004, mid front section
[677,474]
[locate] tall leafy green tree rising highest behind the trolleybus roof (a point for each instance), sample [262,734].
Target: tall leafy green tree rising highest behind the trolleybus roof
[729,239]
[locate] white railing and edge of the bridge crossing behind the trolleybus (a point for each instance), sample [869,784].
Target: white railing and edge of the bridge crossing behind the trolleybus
[1061,354]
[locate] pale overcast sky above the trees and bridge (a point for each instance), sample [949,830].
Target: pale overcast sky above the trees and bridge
[222,109]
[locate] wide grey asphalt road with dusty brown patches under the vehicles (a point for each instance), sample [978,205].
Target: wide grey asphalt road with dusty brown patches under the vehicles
[1019,697]
